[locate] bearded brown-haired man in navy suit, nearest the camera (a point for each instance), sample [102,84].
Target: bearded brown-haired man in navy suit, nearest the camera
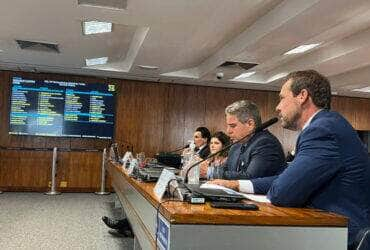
[331,170]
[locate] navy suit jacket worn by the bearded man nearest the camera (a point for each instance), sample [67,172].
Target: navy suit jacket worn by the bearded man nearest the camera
[330,171]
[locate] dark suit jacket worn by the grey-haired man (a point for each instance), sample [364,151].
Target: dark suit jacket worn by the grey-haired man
[262,155]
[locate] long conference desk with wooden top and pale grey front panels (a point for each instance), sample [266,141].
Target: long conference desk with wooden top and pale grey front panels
[188,226]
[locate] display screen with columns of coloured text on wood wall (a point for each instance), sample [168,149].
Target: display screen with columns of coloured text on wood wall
[58,108]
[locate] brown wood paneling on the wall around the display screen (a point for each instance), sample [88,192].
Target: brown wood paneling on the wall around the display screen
[151,117]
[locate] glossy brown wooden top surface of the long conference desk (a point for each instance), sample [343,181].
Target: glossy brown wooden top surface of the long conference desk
[178,212]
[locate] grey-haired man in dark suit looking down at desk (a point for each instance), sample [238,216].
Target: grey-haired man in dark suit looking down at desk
[259,155]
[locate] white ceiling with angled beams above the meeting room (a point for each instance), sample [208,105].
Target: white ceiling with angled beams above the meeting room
[189,40]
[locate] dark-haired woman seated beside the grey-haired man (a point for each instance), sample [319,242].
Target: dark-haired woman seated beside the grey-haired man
[214,164]
